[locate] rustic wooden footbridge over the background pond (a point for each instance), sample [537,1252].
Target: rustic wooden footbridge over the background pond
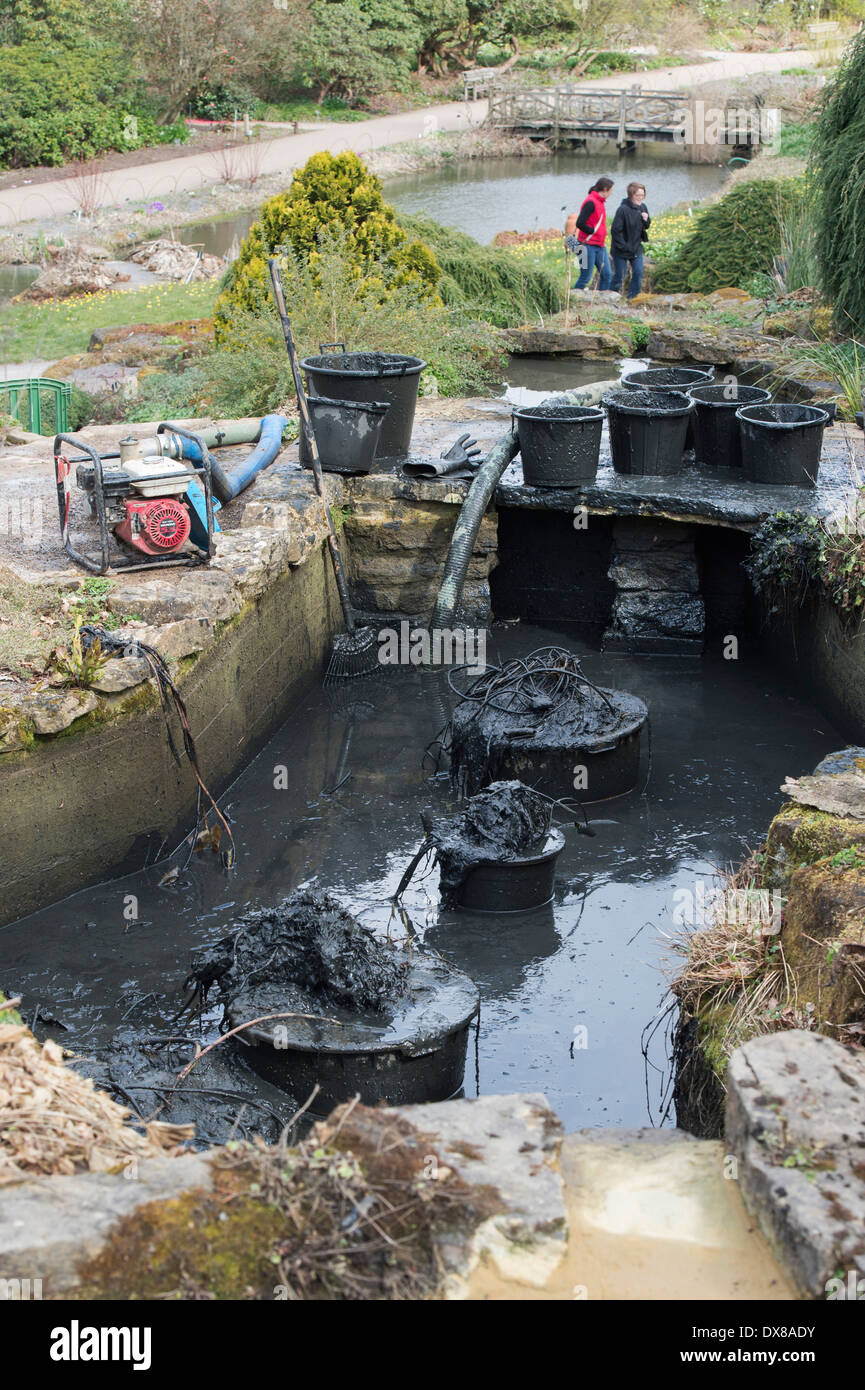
[571,116]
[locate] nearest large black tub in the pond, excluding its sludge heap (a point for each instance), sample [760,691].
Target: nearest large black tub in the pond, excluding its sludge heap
[412,1054]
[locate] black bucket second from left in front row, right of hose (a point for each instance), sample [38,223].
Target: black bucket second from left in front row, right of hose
[647,430]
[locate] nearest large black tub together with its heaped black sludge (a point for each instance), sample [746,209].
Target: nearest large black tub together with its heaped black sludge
[323,1001]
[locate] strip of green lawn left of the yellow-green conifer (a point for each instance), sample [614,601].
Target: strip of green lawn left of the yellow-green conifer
[56,329]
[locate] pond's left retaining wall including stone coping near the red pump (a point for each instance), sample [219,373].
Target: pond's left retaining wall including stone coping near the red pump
[106,796]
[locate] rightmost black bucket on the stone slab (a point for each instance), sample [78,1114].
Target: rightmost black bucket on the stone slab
[782,444]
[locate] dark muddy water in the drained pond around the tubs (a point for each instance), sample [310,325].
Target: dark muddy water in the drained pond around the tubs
[724,736]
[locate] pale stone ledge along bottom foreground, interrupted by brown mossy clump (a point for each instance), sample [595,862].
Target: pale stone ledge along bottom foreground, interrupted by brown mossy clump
[63,1229]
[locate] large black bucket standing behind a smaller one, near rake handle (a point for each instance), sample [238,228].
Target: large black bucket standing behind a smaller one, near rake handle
[372,377]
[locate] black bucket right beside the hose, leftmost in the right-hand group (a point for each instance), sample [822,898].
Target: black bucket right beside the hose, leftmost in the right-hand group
[560,444]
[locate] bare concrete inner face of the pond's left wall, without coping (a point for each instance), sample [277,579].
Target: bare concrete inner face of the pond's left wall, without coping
[109,799]
